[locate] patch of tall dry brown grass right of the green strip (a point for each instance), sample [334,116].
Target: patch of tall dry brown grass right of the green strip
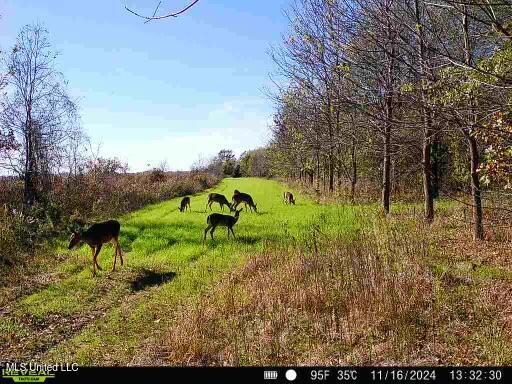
[363,299]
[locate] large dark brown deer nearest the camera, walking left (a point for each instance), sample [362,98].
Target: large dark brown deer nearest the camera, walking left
[97,235]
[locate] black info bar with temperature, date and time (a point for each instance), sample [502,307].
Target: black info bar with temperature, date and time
[72,373]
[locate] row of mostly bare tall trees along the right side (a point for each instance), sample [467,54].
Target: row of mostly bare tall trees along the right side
[395,94]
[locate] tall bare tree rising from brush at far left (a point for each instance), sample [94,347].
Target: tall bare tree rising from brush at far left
[38,111]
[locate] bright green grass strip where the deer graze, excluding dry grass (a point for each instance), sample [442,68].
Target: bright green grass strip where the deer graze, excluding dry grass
[105,320]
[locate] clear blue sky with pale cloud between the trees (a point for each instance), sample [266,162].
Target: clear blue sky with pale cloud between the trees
[177,89]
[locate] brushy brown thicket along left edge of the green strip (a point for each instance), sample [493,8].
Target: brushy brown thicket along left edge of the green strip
[74,201]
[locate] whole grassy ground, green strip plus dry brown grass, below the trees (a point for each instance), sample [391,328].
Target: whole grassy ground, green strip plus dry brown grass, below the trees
[306,284]
